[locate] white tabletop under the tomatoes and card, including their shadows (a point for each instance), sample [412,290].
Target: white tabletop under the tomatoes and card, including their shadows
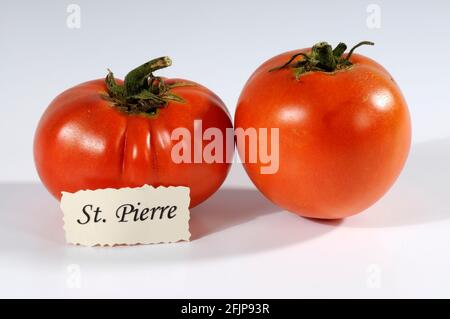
[245,247]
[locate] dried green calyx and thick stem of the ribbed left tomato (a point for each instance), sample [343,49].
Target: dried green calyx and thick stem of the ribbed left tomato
[142,92]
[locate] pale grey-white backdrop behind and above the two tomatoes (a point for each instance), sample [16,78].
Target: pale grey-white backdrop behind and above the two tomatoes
[216,43]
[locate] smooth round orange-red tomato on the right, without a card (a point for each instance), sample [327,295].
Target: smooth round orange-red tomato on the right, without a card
[344,130]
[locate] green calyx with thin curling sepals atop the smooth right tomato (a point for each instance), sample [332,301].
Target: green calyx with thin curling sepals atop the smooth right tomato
[322,58]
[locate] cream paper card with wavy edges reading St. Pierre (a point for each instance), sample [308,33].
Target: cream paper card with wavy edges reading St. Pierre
[142,215]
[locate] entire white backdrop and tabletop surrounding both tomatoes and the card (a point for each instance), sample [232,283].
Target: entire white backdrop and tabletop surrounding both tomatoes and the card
[244,247]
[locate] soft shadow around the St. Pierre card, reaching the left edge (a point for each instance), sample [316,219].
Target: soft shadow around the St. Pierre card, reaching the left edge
[234,221]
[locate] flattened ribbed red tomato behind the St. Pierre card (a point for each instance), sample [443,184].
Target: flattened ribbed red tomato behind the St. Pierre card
[114,134]
